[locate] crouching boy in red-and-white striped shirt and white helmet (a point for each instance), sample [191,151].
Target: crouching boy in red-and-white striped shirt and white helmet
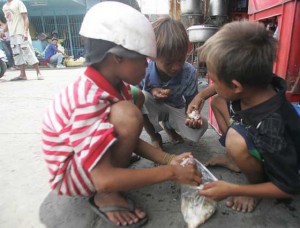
[92,127]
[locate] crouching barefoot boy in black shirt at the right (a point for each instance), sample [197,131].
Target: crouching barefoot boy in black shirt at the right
[263,139]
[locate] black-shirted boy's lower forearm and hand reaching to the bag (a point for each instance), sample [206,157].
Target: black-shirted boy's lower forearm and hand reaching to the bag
[220,190]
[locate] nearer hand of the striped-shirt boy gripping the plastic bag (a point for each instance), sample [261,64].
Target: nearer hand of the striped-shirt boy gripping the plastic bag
[188,174]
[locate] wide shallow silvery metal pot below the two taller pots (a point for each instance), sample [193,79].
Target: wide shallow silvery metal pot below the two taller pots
[201,33]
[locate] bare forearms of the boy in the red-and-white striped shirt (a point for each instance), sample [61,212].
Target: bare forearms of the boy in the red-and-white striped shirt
[108,178]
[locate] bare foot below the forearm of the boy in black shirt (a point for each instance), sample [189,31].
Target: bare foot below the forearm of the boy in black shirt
[242,203]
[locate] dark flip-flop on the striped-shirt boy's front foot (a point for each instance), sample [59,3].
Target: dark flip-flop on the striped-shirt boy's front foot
[101,212]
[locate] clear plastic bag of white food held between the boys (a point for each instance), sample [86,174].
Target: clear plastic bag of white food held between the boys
[196,209]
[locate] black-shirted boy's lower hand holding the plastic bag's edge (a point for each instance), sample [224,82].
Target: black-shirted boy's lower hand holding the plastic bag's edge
[217,190]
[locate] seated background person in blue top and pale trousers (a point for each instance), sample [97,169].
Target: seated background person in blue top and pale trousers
[53,55]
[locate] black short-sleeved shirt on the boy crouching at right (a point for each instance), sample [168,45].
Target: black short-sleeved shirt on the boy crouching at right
[274,128]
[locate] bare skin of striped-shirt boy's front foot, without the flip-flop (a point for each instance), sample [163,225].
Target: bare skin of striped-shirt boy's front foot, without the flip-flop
[120,218]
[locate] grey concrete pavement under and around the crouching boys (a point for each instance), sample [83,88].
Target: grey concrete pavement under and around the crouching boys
[26,200]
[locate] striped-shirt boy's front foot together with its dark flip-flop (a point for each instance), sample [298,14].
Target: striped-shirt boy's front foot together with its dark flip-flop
[114,208]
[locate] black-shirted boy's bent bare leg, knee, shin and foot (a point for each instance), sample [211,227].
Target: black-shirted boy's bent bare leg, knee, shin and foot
[238,151]
